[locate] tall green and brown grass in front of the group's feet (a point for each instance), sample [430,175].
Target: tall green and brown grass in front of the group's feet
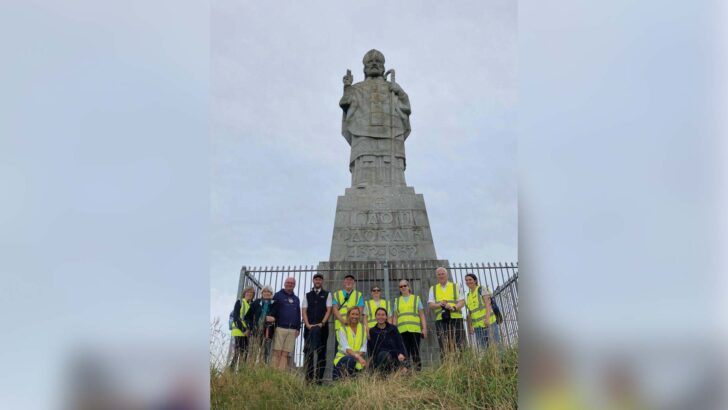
[464,381]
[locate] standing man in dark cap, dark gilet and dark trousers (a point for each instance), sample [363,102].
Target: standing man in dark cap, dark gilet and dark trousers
[316,311]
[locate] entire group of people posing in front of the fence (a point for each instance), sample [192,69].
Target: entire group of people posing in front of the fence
[373,334]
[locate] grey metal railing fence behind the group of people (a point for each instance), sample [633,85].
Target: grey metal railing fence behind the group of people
[500,278]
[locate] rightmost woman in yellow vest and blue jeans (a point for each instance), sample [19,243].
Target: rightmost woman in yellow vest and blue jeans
[481,319]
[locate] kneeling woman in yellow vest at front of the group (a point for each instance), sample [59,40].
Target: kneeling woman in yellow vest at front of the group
[349,359]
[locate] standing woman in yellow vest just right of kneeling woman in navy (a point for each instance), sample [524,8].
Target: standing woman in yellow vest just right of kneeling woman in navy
[409,317]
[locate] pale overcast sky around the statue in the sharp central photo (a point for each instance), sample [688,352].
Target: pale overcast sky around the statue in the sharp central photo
[279,160]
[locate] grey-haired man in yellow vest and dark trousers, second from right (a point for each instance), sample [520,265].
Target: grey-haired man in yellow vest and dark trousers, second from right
[446,300]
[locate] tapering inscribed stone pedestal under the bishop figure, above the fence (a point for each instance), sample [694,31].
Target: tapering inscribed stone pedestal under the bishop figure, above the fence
[381,223]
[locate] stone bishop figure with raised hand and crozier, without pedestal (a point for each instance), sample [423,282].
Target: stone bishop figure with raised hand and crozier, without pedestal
[375,123]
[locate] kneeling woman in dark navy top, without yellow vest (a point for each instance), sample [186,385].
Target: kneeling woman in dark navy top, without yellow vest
[385,345]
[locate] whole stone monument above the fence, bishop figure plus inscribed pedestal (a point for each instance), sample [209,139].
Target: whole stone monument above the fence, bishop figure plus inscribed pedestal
[379,218]
